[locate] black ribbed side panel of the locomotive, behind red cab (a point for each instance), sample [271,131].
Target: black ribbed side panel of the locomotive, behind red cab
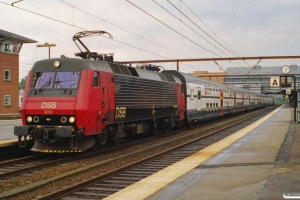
[144,98]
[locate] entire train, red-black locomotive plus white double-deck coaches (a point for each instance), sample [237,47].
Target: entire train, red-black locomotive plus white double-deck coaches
[71,104]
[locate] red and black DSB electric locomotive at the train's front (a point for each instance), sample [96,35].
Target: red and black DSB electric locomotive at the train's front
[70,103]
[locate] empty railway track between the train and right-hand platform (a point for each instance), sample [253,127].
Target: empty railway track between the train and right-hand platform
[108,175]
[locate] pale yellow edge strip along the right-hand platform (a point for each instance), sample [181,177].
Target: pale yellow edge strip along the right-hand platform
[148,186]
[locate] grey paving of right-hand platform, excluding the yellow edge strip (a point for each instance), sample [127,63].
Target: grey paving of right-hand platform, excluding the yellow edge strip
[248,169]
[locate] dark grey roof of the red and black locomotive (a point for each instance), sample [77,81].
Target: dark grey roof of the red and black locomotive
[67,64]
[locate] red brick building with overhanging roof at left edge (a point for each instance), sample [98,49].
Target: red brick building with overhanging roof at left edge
[10,46]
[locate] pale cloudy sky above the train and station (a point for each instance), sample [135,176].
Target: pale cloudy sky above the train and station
[159,29]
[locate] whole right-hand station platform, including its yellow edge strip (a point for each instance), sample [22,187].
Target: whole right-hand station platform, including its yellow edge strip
[260,161]
